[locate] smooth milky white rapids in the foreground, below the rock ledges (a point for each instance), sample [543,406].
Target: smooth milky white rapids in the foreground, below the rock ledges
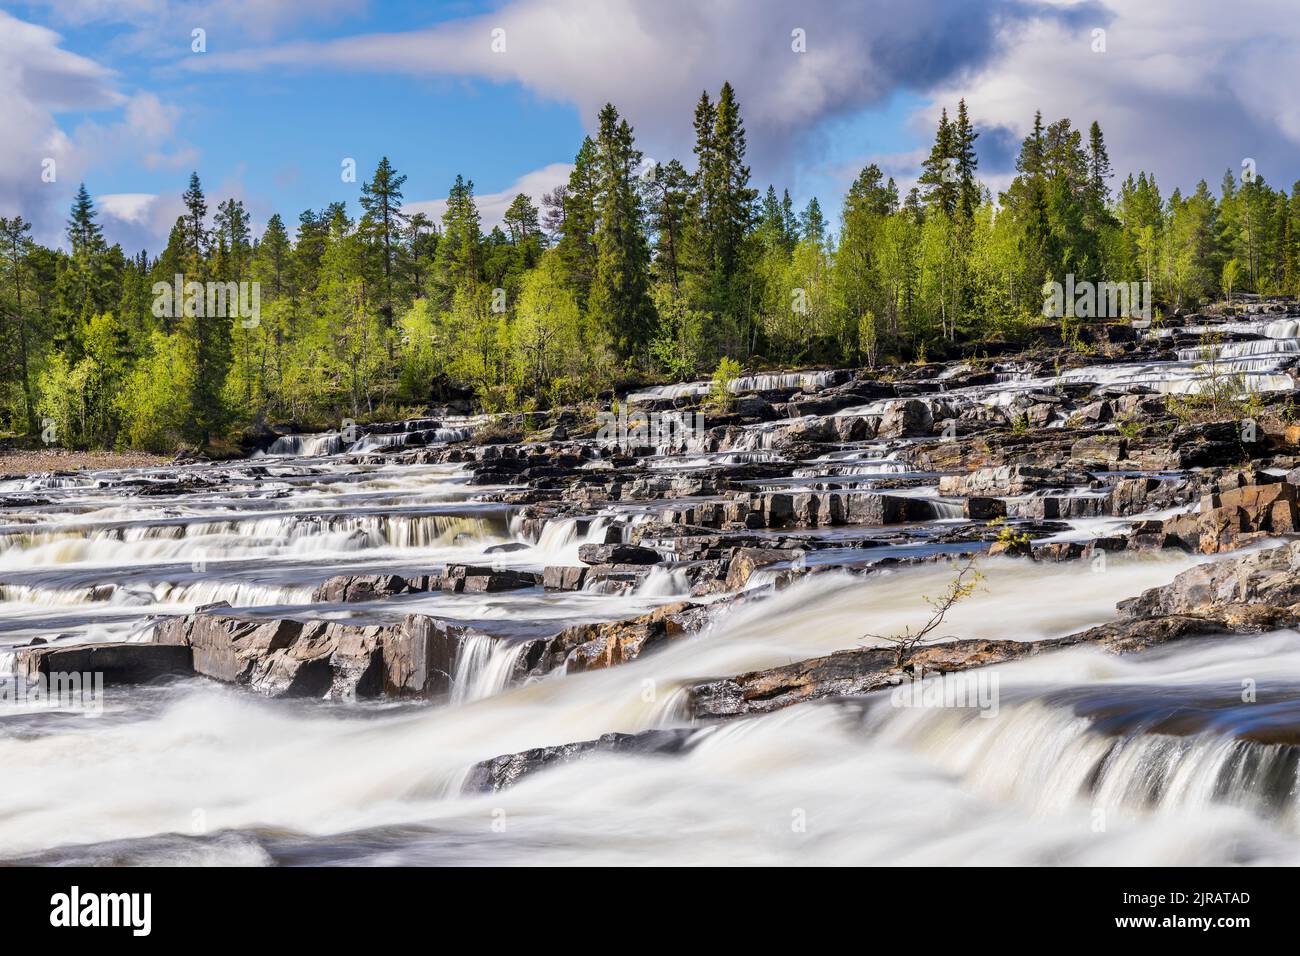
[813,784]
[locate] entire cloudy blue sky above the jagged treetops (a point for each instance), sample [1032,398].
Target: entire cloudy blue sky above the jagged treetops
[271,98]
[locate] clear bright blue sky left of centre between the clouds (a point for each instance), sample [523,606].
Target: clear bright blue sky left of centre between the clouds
[284,136]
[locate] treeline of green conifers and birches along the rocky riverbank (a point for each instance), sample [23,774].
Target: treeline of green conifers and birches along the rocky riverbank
[629,270]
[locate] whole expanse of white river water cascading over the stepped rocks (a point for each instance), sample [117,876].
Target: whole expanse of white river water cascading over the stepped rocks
[1080,760]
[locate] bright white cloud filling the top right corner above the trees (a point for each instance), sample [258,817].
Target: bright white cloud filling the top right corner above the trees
[1185,88]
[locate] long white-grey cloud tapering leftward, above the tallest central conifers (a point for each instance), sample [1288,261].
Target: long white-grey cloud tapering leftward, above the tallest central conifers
[653,59]
